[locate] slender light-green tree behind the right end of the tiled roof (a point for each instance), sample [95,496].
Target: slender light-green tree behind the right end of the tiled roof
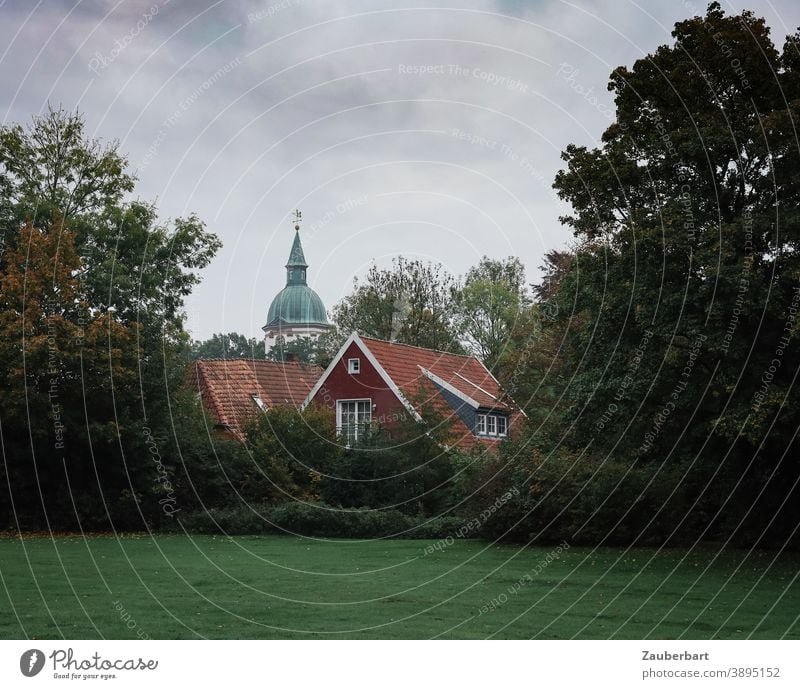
[486,306]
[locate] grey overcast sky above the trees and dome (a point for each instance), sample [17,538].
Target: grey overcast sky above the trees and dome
[432,133]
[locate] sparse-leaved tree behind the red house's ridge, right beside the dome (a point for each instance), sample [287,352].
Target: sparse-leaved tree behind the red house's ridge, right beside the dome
[409,303]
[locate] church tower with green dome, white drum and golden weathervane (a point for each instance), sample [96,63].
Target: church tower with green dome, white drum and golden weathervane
[296,311]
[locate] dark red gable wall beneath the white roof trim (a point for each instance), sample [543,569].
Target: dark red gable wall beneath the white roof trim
[342,385]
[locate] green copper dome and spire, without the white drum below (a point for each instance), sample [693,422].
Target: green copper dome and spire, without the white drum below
[297,303]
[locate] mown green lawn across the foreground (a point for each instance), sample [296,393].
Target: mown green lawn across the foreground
[283,587]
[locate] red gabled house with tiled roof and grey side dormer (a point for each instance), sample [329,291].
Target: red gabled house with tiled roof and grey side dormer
[373,382]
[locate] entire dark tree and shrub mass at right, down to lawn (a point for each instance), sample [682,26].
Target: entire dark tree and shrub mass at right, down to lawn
[664,373]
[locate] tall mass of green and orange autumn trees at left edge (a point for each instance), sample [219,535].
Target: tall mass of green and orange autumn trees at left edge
[97,285]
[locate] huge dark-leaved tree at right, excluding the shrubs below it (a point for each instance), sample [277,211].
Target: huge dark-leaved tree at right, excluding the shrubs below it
[681,295]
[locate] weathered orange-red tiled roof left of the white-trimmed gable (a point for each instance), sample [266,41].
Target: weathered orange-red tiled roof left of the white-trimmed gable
[227,387]
